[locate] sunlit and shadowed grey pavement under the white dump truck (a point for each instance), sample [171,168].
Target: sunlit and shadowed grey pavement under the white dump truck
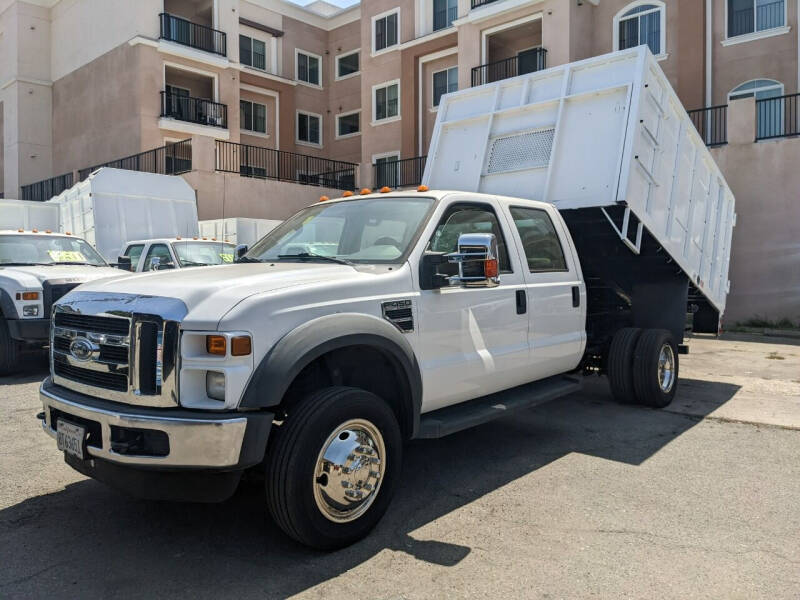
[577,498]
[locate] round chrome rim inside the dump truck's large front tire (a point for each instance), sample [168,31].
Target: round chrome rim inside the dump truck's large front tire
[349,470]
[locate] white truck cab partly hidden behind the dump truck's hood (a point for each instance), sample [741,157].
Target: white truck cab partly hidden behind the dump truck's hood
[176,253]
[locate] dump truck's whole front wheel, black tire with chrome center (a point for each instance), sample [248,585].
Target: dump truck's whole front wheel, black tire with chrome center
[333,466]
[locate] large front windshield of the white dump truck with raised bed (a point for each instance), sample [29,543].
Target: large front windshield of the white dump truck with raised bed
[369,230]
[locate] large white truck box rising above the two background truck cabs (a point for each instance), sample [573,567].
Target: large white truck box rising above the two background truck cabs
[113,206]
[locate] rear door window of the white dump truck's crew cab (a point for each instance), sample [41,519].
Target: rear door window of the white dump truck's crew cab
[539,240]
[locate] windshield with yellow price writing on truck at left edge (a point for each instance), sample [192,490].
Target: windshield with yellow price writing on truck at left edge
[47,250]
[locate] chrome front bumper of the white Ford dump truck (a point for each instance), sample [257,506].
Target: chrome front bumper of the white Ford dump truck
[197,440]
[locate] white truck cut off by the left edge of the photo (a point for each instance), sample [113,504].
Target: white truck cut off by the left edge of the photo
[36,269]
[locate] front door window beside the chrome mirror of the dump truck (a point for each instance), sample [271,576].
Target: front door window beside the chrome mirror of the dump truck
[468,218]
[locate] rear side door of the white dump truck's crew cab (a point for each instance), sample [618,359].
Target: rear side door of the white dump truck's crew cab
[555,289]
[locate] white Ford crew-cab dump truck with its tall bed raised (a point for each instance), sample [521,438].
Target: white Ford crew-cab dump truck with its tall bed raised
[366,321]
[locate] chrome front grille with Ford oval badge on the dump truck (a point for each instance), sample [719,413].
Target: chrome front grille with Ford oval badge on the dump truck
[117,347]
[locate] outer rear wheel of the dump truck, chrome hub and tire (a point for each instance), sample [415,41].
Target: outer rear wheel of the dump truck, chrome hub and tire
[655,368]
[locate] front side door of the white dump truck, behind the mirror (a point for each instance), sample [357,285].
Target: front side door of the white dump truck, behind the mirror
[472,341]
